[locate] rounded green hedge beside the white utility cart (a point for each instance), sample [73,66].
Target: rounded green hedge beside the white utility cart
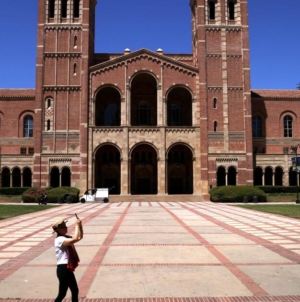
[54,195]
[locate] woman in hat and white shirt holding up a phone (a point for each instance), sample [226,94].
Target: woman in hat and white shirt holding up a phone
[67,258]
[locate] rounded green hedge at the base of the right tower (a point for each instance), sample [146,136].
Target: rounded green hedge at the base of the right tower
[237,194]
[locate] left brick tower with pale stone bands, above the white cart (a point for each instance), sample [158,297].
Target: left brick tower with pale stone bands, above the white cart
[65,48]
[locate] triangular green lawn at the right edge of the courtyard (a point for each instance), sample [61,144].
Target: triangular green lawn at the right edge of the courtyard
[289,210]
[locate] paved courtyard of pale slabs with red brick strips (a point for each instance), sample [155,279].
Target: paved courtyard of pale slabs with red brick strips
[160,251]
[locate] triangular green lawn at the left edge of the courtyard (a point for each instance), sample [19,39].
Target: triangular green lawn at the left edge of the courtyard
[7,211]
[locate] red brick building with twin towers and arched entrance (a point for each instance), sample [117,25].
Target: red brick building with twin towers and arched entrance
[143,122]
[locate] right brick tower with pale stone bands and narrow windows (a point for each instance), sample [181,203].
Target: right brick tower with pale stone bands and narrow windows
[220,43]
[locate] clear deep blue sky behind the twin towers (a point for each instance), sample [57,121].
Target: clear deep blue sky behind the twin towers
[274,36]
